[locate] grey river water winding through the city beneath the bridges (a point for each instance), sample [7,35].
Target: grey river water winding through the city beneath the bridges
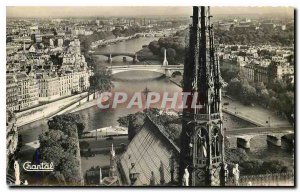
[137,81]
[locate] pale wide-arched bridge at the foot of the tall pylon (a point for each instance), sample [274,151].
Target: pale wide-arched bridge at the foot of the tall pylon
[166,70]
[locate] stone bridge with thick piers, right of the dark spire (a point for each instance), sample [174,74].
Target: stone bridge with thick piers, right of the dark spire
[275,136]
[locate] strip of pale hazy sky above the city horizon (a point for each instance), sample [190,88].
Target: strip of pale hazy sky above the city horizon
[36,11]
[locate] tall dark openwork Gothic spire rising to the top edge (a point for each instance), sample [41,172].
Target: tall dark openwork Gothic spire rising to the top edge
[202,137]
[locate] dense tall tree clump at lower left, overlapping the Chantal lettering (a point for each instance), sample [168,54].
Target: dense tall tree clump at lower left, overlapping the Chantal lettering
[60,145]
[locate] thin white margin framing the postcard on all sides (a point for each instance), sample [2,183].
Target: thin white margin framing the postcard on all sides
[293,3]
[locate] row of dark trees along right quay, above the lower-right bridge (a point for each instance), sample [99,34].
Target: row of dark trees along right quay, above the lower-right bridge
[278,95]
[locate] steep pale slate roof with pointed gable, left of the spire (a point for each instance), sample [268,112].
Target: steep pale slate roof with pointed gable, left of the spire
[148,150]
